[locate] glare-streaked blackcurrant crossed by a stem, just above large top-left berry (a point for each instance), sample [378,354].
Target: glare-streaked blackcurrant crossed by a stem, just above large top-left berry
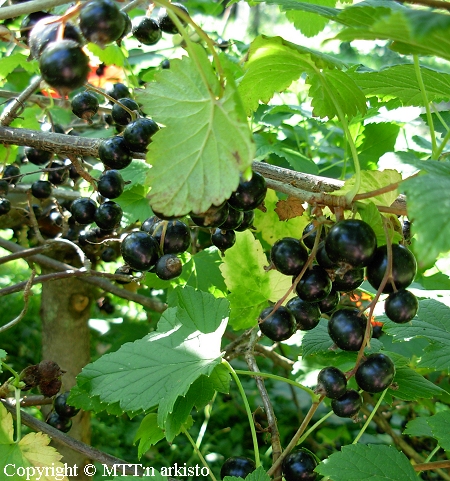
[45,32]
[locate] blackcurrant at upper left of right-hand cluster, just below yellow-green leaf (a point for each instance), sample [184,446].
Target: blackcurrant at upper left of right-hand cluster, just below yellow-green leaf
[288,255]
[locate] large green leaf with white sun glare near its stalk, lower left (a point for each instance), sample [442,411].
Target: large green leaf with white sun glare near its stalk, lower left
[160,367]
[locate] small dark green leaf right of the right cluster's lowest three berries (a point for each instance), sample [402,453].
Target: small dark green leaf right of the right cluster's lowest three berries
[413,386]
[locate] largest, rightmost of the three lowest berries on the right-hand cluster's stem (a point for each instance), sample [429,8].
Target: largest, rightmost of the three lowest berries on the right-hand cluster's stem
[376,373]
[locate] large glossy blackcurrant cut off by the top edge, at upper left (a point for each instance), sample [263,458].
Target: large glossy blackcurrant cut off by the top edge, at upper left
[101,22]
